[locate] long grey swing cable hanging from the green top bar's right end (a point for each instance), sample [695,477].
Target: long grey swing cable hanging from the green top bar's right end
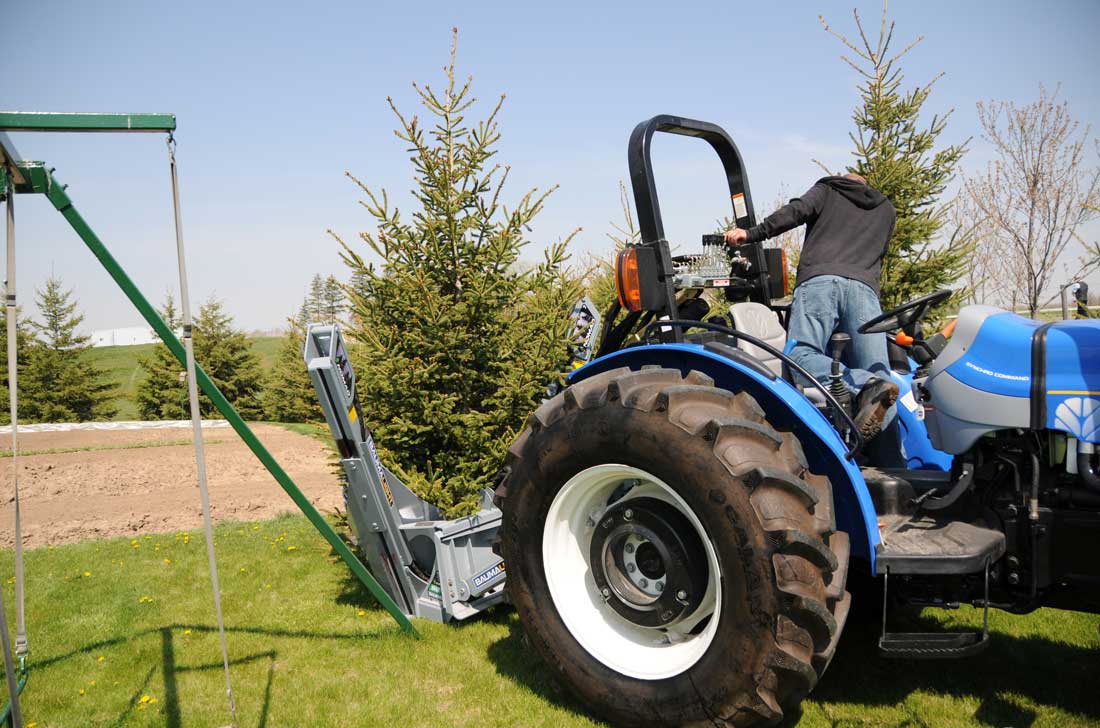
[197,425]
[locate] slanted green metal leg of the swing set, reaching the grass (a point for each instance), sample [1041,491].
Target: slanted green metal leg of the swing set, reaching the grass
[41,181]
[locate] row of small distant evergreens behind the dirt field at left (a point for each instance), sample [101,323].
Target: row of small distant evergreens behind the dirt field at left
[60,382]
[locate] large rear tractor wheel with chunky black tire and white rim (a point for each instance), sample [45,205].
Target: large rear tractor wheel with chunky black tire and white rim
[611,447]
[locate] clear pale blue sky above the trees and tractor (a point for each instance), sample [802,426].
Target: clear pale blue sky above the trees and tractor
[277,101]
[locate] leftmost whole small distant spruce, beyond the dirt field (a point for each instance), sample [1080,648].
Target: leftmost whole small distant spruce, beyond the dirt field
[62,384]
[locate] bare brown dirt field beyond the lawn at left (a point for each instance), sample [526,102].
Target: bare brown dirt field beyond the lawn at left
[144,482]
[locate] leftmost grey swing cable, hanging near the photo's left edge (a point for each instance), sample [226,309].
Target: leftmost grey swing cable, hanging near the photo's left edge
[17,714]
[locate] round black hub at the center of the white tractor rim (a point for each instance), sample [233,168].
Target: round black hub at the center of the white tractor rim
[648,562]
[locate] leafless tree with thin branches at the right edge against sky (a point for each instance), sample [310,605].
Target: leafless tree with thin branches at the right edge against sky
[1038,192]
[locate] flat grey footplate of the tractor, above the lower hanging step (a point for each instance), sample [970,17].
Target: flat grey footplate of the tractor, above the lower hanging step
[927,545]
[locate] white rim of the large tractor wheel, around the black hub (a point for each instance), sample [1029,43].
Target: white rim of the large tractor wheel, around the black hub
[641,653]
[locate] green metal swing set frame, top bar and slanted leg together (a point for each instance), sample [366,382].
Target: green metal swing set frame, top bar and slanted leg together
[35,178]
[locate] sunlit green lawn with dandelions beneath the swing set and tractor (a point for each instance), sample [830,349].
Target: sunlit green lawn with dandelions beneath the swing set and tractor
[123,634]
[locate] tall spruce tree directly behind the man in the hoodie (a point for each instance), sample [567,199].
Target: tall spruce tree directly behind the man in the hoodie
[901,158]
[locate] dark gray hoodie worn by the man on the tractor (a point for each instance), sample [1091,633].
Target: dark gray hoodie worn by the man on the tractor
[849,226]
